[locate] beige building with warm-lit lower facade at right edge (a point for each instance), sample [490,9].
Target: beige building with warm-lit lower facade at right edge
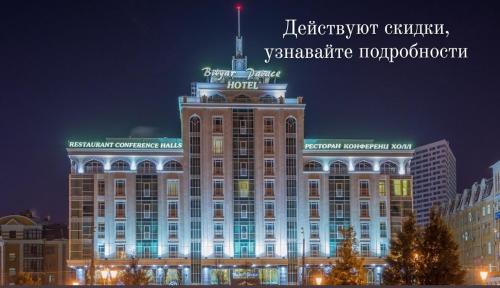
[471,216]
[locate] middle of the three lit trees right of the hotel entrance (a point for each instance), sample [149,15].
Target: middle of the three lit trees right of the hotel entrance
[402,266]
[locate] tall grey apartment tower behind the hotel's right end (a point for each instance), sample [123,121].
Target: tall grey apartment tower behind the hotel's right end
[434,178]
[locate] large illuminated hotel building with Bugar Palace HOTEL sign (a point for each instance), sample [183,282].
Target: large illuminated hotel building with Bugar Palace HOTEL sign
[234,198]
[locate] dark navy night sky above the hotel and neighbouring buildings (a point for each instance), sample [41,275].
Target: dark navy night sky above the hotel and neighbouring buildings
[95,69]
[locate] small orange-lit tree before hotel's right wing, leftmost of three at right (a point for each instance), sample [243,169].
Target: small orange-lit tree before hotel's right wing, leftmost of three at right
[348,268]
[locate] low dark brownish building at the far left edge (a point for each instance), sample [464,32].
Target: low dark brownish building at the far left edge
[24,250]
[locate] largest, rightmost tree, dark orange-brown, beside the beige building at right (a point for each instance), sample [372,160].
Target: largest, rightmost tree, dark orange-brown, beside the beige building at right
[438,255]
